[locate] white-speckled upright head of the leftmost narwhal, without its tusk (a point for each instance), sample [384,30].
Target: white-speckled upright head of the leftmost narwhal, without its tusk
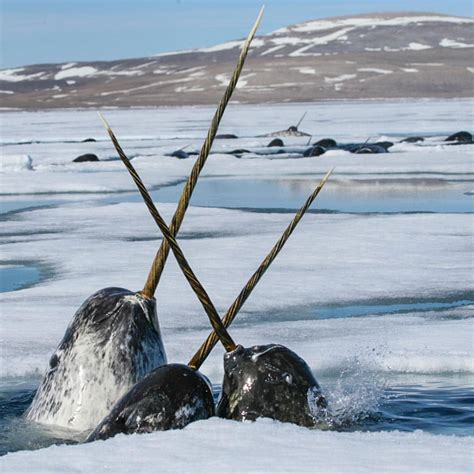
[113,340]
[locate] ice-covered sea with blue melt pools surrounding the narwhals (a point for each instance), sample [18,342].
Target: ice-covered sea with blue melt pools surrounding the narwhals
[375,289]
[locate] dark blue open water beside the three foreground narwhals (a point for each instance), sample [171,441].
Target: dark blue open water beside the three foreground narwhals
[442,407]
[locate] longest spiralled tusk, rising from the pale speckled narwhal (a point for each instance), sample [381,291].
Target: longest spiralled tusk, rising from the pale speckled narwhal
[159,262]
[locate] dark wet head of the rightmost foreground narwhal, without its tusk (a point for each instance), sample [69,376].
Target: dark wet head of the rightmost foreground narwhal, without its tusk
[270,381]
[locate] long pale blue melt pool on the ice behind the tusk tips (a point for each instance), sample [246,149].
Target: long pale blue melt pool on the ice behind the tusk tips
[354,197]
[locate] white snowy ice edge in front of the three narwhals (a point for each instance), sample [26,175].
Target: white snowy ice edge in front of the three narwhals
[264,446]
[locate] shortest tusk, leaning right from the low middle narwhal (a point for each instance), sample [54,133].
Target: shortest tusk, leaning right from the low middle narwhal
[212,339]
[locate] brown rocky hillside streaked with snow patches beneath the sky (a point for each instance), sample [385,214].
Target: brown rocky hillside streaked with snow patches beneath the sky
[370,56]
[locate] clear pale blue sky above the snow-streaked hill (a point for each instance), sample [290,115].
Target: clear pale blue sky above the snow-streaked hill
[53,31]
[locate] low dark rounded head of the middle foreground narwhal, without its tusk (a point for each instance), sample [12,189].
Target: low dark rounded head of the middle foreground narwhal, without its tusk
[170,397]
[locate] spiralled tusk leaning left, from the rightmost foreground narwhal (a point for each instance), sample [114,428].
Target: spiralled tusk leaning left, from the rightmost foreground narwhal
[201,293]
